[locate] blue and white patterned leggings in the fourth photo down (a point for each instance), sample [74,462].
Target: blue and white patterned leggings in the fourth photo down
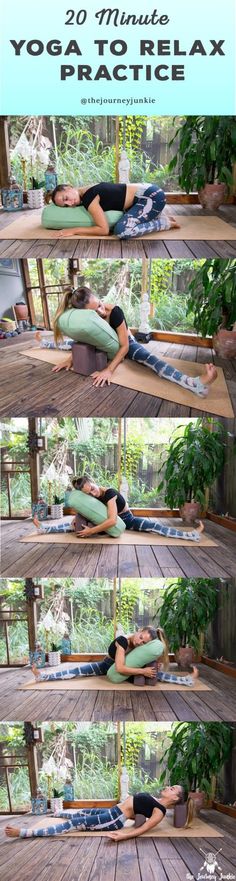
[99,668]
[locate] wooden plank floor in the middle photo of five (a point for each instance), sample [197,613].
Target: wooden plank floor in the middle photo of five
[24,560]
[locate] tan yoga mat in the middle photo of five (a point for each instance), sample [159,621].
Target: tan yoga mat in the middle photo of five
[127,538]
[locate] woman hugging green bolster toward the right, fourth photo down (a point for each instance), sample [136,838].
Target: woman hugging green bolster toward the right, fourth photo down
[117,652]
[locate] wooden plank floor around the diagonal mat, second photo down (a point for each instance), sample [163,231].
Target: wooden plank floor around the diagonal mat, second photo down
[29,388]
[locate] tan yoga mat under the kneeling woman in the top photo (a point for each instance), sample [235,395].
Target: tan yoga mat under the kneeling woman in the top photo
[191,227]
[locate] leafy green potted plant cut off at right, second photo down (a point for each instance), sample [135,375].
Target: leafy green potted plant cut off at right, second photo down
[212,301]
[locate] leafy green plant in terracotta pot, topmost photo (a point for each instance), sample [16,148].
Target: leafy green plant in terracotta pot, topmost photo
[206,155]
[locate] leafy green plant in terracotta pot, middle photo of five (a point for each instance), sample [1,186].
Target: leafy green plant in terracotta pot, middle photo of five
[193,461]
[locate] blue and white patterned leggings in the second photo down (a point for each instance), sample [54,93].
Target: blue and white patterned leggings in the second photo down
[141,354]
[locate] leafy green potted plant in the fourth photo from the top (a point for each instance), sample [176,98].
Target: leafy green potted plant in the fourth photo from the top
[187,608]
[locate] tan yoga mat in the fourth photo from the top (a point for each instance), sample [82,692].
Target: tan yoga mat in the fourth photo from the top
[102,683]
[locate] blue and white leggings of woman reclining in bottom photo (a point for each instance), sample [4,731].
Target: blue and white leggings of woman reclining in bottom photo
[88,819]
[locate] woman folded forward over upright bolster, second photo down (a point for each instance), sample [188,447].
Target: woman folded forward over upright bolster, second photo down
[83,298]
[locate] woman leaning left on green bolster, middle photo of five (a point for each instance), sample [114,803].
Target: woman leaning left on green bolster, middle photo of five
[116,506]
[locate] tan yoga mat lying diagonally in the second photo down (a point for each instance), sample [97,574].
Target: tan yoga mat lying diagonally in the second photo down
[141,379]
